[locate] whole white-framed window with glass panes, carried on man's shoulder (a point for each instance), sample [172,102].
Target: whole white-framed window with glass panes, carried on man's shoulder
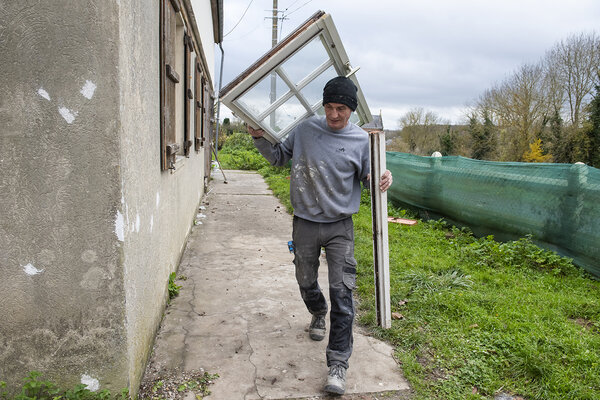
[286,85]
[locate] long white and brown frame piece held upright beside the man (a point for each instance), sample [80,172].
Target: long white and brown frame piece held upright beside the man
[381,259]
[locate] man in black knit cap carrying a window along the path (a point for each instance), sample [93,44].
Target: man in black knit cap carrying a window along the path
[330,157]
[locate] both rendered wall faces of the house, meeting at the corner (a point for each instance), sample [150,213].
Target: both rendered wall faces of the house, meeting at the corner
[90,227]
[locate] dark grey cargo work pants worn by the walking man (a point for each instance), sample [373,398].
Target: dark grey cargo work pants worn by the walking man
[338,240]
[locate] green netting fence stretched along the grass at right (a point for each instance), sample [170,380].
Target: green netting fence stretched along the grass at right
[558,204]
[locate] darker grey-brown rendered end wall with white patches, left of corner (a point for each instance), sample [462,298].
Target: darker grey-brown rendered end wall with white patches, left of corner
[62,302]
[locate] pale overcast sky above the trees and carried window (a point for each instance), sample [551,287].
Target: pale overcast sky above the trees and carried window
[436,54]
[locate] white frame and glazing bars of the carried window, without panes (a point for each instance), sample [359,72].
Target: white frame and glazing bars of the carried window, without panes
[319,25]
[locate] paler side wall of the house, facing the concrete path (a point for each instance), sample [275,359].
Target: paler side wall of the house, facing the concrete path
[158,207]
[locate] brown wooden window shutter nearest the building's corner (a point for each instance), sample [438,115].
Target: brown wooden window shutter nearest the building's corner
[168,79]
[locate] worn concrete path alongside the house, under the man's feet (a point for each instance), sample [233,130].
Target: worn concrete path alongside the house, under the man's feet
[239,313]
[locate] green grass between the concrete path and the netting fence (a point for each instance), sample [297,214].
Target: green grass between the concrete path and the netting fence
[477,317]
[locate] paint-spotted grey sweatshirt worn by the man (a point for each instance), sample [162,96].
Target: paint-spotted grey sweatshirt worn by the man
[327,167]
